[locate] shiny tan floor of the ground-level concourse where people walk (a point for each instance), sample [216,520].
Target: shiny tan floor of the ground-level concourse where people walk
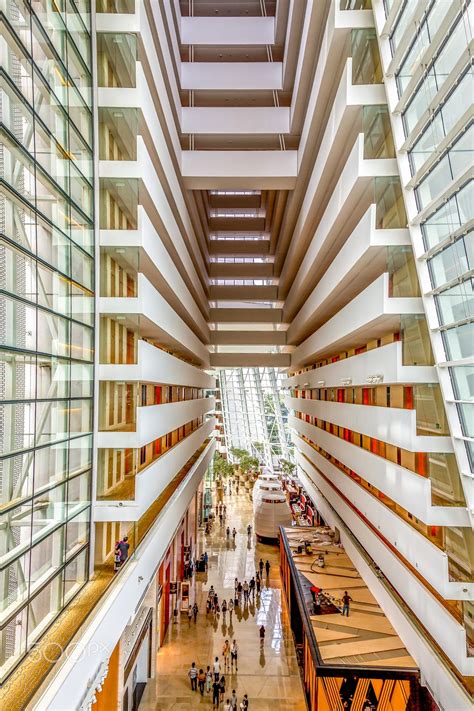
[270,676]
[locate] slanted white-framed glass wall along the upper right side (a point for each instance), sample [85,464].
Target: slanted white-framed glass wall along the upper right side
[438,128]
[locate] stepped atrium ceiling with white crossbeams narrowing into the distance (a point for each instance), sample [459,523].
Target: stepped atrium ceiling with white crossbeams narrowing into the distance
[249,128]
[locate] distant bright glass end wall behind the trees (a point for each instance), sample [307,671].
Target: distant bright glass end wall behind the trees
[254,411]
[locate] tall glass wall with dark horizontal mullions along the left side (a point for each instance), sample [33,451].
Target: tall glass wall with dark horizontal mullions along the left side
[46,316]
